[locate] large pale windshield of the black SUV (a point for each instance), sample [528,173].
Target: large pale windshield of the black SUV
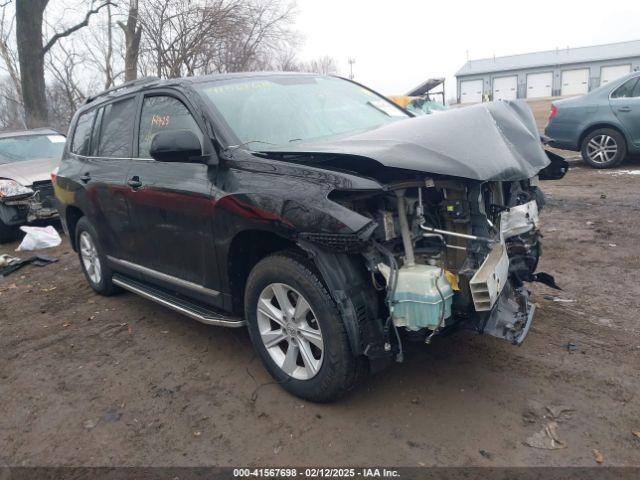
[280,110]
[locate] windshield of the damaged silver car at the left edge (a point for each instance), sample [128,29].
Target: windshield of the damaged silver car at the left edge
[31,147]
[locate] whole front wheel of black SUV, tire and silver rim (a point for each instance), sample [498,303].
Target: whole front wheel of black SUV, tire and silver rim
[297,331]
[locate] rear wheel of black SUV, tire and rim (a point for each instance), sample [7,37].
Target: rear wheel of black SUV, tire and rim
[92,259]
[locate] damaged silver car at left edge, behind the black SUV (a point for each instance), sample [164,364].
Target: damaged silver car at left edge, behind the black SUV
[27,159]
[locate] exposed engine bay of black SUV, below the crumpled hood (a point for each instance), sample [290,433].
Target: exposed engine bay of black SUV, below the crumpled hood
[447,252]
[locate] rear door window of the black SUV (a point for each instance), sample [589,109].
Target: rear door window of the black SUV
[116,131]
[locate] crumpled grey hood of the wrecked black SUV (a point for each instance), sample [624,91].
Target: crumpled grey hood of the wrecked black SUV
[496,141]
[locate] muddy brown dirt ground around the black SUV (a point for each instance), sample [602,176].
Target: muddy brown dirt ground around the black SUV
[87,380]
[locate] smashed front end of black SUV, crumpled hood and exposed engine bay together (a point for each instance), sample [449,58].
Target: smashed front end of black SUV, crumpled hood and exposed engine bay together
[453,231]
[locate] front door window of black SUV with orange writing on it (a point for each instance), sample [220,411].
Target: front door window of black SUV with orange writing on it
[161,113]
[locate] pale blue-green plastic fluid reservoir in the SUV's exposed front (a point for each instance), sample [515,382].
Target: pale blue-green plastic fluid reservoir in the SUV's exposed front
[417,302]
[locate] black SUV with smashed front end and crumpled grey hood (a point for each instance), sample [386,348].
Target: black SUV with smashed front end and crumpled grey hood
[325,218]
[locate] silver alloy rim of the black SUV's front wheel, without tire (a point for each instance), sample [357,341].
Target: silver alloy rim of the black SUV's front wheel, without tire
[290,331]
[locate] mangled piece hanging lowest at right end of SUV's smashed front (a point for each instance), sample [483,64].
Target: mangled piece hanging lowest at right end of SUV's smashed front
[511,316]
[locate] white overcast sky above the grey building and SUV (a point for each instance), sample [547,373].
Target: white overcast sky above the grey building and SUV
[398,44]
